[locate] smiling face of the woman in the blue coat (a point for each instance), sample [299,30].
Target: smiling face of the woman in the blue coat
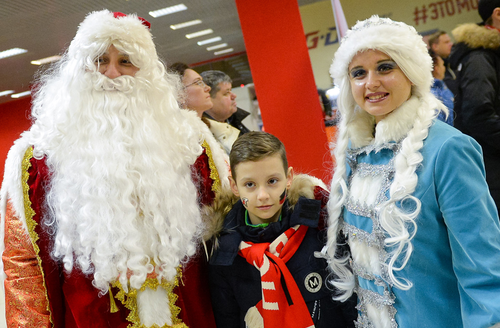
[378,85]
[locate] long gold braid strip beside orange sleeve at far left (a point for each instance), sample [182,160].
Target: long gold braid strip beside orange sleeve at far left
[30,213]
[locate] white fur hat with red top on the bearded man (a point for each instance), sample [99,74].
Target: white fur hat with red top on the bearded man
[100,29]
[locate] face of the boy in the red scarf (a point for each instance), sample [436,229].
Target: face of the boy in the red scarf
[262,186]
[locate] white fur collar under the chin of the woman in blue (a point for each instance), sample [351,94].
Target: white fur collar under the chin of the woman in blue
[393,127]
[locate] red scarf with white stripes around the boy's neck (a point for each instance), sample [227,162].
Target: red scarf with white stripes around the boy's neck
[282,304]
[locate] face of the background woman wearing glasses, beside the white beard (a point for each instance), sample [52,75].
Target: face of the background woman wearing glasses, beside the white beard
[198,96]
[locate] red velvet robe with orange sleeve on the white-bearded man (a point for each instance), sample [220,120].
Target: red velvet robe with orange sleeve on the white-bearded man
[40,294]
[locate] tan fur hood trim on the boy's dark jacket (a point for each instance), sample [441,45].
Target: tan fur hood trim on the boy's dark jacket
[302,186]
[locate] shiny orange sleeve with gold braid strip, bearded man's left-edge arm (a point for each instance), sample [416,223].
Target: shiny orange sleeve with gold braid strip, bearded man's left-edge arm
[26,303]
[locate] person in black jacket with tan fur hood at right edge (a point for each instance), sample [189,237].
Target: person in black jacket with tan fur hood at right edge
[476,56]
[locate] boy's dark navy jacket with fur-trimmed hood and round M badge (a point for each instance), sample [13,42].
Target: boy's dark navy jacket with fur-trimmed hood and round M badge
[236,285]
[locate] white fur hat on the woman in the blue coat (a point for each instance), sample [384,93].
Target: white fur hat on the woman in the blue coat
[398,40]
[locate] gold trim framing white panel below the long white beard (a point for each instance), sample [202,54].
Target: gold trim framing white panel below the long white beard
[129,300]
